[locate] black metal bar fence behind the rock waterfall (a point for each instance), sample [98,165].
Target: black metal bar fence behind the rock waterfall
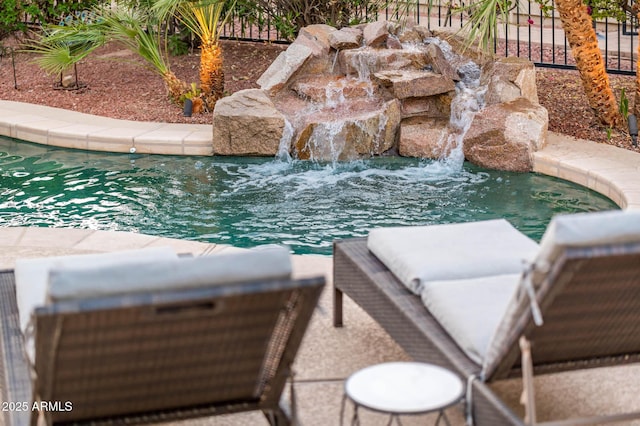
[528,33]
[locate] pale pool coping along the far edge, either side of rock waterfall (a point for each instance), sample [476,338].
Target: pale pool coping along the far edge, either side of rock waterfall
[613,172]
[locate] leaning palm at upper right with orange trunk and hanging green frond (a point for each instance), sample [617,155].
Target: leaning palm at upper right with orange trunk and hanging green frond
[577,24]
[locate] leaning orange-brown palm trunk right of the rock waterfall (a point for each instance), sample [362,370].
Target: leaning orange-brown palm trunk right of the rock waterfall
[578,28]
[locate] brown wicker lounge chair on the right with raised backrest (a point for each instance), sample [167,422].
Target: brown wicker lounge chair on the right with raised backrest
[585,280]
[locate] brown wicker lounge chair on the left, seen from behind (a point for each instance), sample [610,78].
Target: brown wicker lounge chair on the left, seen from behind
[218,345]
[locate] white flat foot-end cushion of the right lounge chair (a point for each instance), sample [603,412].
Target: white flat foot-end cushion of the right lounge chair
[417,255]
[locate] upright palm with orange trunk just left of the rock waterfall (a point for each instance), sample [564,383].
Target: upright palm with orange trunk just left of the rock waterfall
[204,18]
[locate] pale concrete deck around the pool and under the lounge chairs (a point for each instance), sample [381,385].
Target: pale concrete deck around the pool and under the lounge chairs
[329,355]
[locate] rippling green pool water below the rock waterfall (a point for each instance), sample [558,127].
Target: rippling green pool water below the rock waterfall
[248,201]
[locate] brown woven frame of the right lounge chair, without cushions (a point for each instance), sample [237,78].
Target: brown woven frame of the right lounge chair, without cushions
[571,301]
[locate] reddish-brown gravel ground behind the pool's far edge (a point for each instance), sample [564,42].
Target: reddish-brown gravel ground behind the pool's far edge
[116,84]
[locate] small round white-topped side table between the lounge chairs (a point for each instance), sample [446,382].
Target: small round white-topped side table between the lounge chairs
[399,388]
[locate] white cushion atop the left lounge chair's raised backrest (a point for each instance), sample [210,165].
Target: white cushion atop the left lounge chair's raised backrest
[271,262]
